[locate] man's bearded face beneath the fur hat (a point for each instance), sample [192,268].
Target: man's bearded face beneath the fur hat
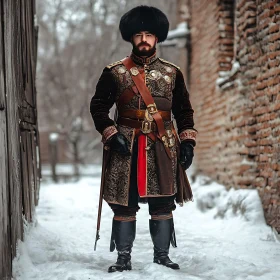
[144,43]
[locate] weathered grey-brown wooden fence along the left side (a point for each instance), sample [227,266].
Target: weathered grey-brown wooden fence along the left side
[19,147]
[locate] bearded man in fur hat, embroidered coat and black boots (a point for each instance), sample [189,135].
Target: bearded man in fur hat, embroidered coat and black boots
[147,160]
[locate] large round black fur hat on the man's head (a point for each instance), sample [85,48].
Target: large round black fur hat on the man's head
[144,18]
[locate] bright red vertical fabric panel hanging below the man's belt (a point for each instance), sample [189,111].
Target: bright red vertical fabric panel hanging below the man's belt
[142,165]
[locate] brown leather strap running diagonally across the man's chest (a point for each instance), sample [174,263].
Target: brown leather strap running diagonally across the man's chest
[147,97]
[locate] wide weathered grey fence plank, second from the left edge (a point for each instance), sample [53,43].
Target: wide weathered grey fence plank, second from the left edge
[13,90]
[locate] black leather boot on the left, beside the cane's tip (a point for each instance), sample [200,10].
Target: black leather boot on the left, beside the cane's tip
[123,235]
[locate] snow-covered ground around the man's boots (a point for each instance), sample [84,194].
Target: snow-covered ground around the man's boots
[221,236]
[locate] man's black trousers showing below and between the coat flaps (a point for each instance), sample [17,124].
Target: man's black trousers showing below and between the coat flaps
[157,205]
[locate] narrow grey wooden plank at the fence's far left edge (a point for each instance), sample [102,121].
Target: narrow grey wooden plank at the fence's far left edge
[5,240]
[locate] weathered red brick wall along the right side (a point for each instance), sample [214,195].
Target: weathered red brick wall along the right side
[237,106]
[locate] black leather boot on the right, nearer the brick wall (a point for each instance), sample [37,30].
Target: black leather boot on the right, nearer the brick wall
[162,233]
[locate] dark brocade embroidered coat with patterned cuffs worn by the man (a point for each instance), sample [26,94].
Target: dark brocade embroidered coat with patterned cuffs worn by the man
[166,84]
